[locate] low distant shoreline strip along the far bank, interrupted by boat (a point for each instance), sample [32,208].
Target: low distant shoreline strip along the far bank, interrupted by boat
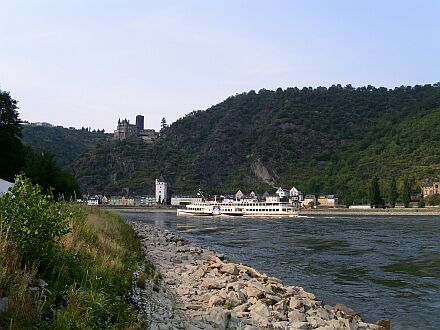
[429,211]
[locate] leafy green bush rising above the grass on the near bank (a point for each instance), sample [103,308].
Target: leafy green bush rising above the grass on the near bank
[35,221]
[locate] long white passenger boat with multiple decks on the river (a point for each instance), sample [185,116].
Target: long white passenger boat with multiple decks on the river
[240,208]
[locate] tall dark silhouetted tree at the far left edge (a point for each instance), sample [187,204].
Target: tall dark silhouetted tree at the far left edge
[11,159]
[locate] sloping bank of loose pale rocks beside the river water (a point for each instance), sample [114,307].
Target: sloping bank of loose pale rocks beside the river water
[203,290]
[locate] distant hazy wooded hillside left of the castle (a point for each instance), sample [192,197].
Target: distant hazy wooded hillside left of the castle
[66,145]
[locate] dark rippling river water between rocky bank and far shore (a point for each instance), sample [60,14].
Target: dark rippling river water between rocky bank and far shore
[383,267]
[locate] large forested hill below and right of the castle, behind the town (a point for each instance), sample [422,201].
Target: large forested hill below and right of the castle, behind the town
[322,140]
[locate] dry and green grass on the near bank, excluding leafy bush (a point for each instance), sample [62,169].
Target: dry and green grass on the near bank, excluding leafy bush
[88,278]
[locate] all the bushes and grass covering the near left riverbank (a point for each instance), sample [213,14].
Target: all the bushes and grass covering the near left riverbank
[62,266]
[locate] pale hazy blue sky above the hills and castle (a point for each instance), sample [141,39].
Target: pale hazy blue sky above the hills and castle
[87,63]
